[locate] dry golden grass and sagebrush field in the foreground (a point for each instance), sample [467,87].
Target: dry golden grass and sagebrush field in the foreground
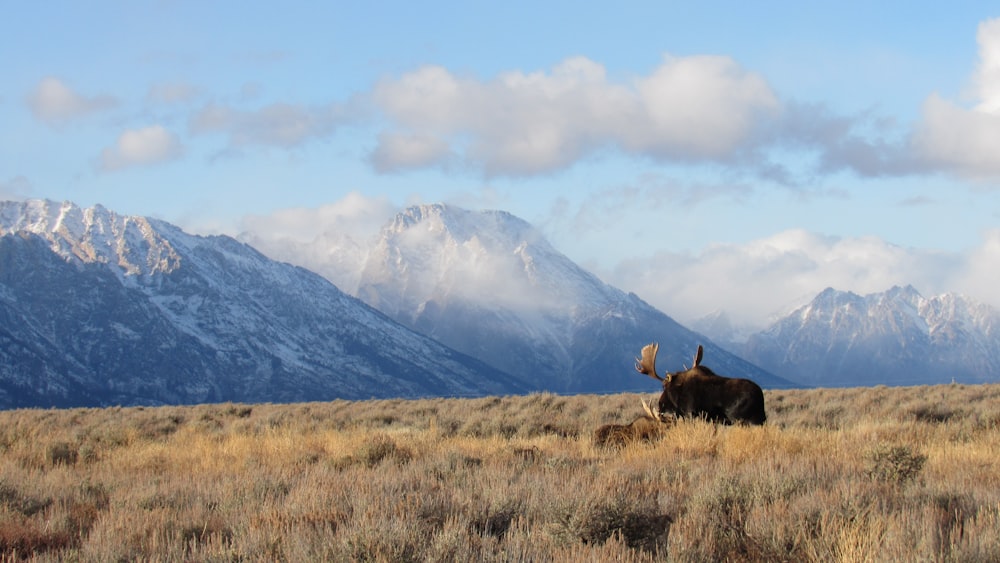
[879,474]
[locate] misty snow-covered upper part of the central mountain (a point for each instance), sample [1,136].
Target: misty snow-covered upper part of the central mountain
[439,253]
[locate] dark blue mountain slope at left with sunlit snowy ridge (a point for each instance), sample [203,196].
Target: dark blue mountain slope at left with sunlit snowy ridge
[102,309]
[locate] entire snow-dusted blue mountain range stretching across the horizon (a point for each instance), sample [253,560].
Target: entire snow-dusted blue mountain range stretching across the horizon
[98,309]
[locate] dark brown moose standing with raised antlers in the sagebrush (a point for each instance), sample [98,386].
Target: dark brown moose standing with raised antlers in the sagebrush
[700,392]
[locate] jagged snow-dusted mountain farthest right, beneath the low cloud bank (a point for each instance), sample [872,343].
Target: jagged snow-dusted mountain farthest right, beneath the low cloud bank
[895,338]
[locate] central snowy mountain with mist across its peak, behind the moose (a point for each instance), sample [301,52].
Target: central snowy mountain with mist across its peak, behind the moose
[489,285]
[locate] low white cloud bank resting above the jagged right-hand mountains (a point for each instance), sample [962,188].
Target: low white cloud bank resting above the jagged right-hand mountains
[755,280]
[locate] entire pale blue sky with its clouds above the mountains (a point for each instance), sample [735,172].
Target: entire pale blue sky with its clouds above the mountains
[705,155]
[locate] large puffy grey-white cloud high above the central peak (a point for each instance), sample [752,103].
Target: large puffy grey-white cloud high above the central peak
[689,108]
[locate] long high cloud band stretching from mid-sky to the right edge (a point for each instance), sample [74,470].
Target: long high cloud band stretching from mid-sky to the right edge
[689,110]
